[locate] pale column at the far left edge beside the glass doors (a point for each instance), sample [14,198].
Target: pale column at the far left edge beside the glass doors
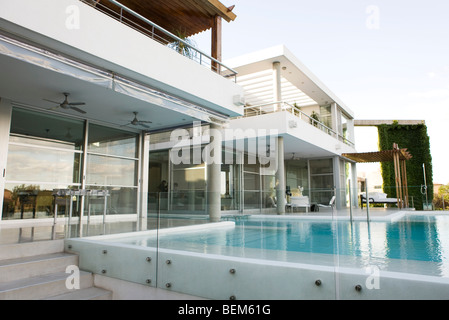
[5,124]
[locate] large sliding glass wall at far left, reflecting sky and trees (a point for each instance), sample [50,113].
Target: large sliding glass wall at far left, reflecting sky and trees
[46,152]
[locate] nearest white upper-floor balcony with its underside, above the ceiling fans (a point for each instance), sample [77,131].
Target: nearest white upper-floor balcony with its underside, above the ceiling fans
[96,49]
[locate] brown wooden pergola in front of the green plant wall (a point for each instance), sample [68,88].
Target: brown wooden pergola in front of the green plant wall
[399,157]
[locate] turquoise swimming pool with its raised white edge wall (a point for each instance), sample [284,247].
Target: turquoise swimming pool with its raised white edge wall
[274,257]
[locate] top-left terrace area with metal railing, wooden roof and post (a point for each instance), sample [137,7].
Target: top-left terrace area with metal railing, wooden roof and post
[171,23]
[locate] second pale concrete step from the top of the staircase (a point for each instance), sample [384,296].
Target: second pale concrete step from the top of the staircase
[28,267]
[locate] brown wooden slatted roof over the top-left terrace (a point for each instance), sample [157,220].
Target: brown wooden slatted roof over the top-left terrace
[181,17]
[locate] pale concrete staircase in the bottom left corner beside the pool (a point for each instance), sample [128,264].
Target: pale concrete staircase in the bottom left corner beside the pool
[37,271]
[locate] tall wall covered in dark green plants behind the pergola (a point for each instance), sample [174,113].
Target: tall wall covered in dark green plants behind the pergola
[416,140]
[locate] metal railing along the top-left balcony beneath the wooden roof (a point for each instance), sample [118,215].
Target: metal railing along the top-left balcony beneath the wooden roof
[164,37]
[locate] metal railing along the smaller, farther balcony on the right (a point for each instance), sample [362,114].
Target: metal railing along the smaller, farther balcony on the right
[278,106]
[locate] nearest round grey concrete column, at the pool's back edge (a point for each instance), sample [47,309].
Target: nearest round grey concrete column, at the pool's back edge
[213,160]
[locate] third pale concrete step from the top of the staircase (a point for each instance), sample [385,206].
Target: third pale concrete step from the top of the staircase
[41,287]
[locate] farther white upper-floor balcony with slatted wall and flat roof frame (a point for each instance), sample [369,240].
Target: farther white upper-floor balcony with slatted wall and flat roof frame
[281,93]
